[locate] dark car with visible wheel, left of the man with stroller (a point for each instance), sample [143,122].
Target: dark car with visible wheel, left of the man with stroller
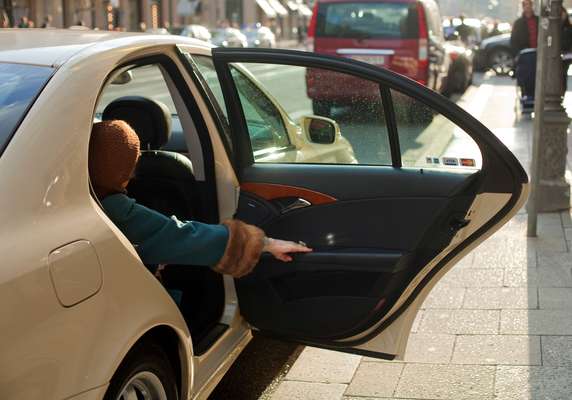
[495,53]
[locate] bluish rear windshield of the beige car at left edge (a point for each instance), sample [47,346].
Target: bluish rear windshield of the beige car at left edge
[19,86]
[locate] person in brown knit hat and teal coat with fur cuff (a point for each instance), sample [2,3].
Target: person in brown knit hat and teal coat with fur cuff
[232,247]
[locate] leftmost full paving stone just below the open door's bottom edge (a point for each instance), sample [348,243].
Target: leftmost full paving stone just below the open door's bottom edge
[326,366]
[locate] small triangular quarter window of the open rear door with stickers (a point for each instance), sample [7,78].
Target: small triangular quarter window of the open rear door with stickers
[430,140]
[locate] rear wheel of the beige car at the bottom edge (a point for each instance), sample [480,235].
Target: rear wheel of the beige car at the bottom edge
[146,368]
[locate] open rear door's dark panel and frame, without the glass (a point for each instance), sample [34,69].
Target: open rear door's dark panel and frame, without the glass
[382,235]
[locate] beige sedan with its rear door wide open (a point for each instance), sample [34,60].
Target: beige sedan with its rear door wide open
[84,318]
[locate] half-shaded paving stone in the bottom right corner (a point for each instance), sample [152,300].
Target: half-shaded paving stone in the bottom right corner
[553,383]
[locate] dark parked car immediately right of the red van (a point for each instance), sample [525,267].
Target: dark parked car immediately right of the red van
[460,74]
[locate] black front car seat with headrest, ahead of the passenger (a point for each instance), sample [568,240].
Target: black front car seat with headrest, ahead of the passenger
[164,180]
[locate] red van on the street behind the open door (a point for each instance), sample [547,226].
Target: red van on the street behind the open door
[404,36]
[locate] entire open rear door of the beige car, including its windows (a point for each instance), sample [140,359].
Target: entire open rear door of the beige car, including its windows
[428,184]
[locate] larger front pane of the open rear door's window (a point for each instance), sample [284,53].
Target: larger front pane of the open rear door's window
[288,98]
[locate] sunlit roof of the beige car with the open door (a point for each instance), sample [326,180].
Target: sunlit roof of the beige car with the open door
[53,47]
